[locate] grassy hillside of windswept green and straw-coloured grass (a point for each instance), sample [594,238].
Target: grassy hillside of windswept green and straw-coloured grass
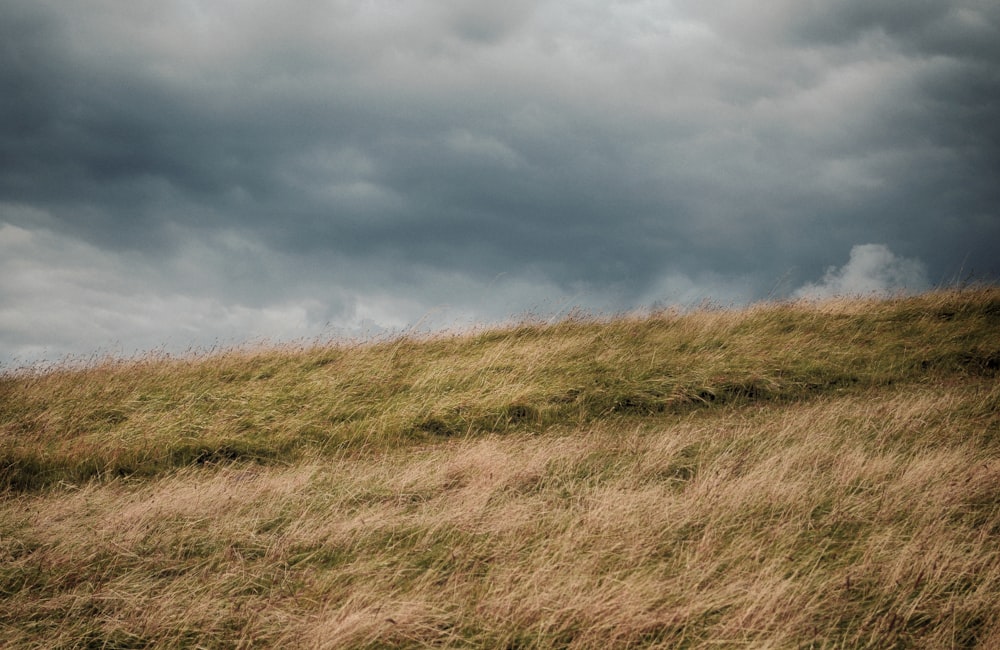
[788,475]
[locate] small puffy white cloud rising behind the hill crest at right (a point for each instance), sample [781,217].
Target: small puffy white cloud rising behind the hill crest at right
[872,269]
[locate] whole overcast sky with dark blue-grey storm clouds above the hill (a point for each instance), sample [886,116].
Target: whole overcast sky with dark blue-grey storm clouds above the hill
[178,174]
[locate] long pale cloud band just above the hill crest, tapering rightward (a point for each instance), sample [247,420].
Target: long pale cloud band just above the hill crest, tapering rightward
[62,298]
